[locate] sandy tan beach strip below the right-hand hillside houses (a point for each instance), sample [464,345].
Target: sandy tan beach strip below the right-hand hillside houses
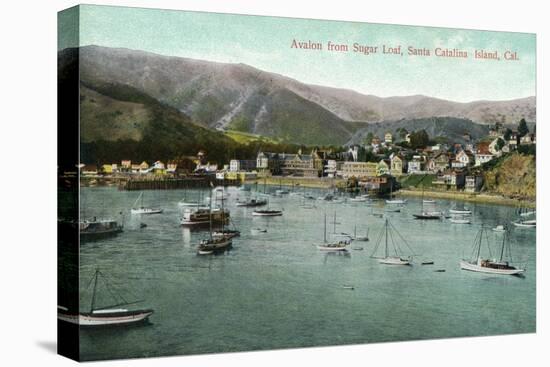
[469,197]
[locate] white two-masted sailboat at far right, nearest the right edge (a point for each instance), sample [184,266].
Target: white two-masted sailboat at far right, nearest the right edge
[491,266]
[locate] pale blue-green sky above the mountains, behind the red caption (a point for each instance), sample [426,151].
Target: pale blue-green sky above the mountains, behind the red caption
[264,42]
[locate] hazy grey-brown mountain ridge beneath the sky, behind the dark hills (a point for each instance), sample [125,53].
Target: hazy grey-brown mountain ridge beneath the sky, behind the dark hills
[240,97]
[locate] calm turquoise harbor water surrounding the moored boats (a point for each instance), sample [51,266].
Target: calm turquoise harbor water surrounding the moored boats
[277,290]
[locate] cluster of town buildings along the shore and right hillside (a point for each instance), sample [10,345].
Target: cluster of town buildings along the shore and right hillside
[454,166]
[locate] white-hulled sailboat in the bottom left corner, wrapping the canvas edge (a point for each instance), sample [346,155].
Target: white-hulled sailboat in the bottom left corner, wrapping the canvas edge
[104,316]
